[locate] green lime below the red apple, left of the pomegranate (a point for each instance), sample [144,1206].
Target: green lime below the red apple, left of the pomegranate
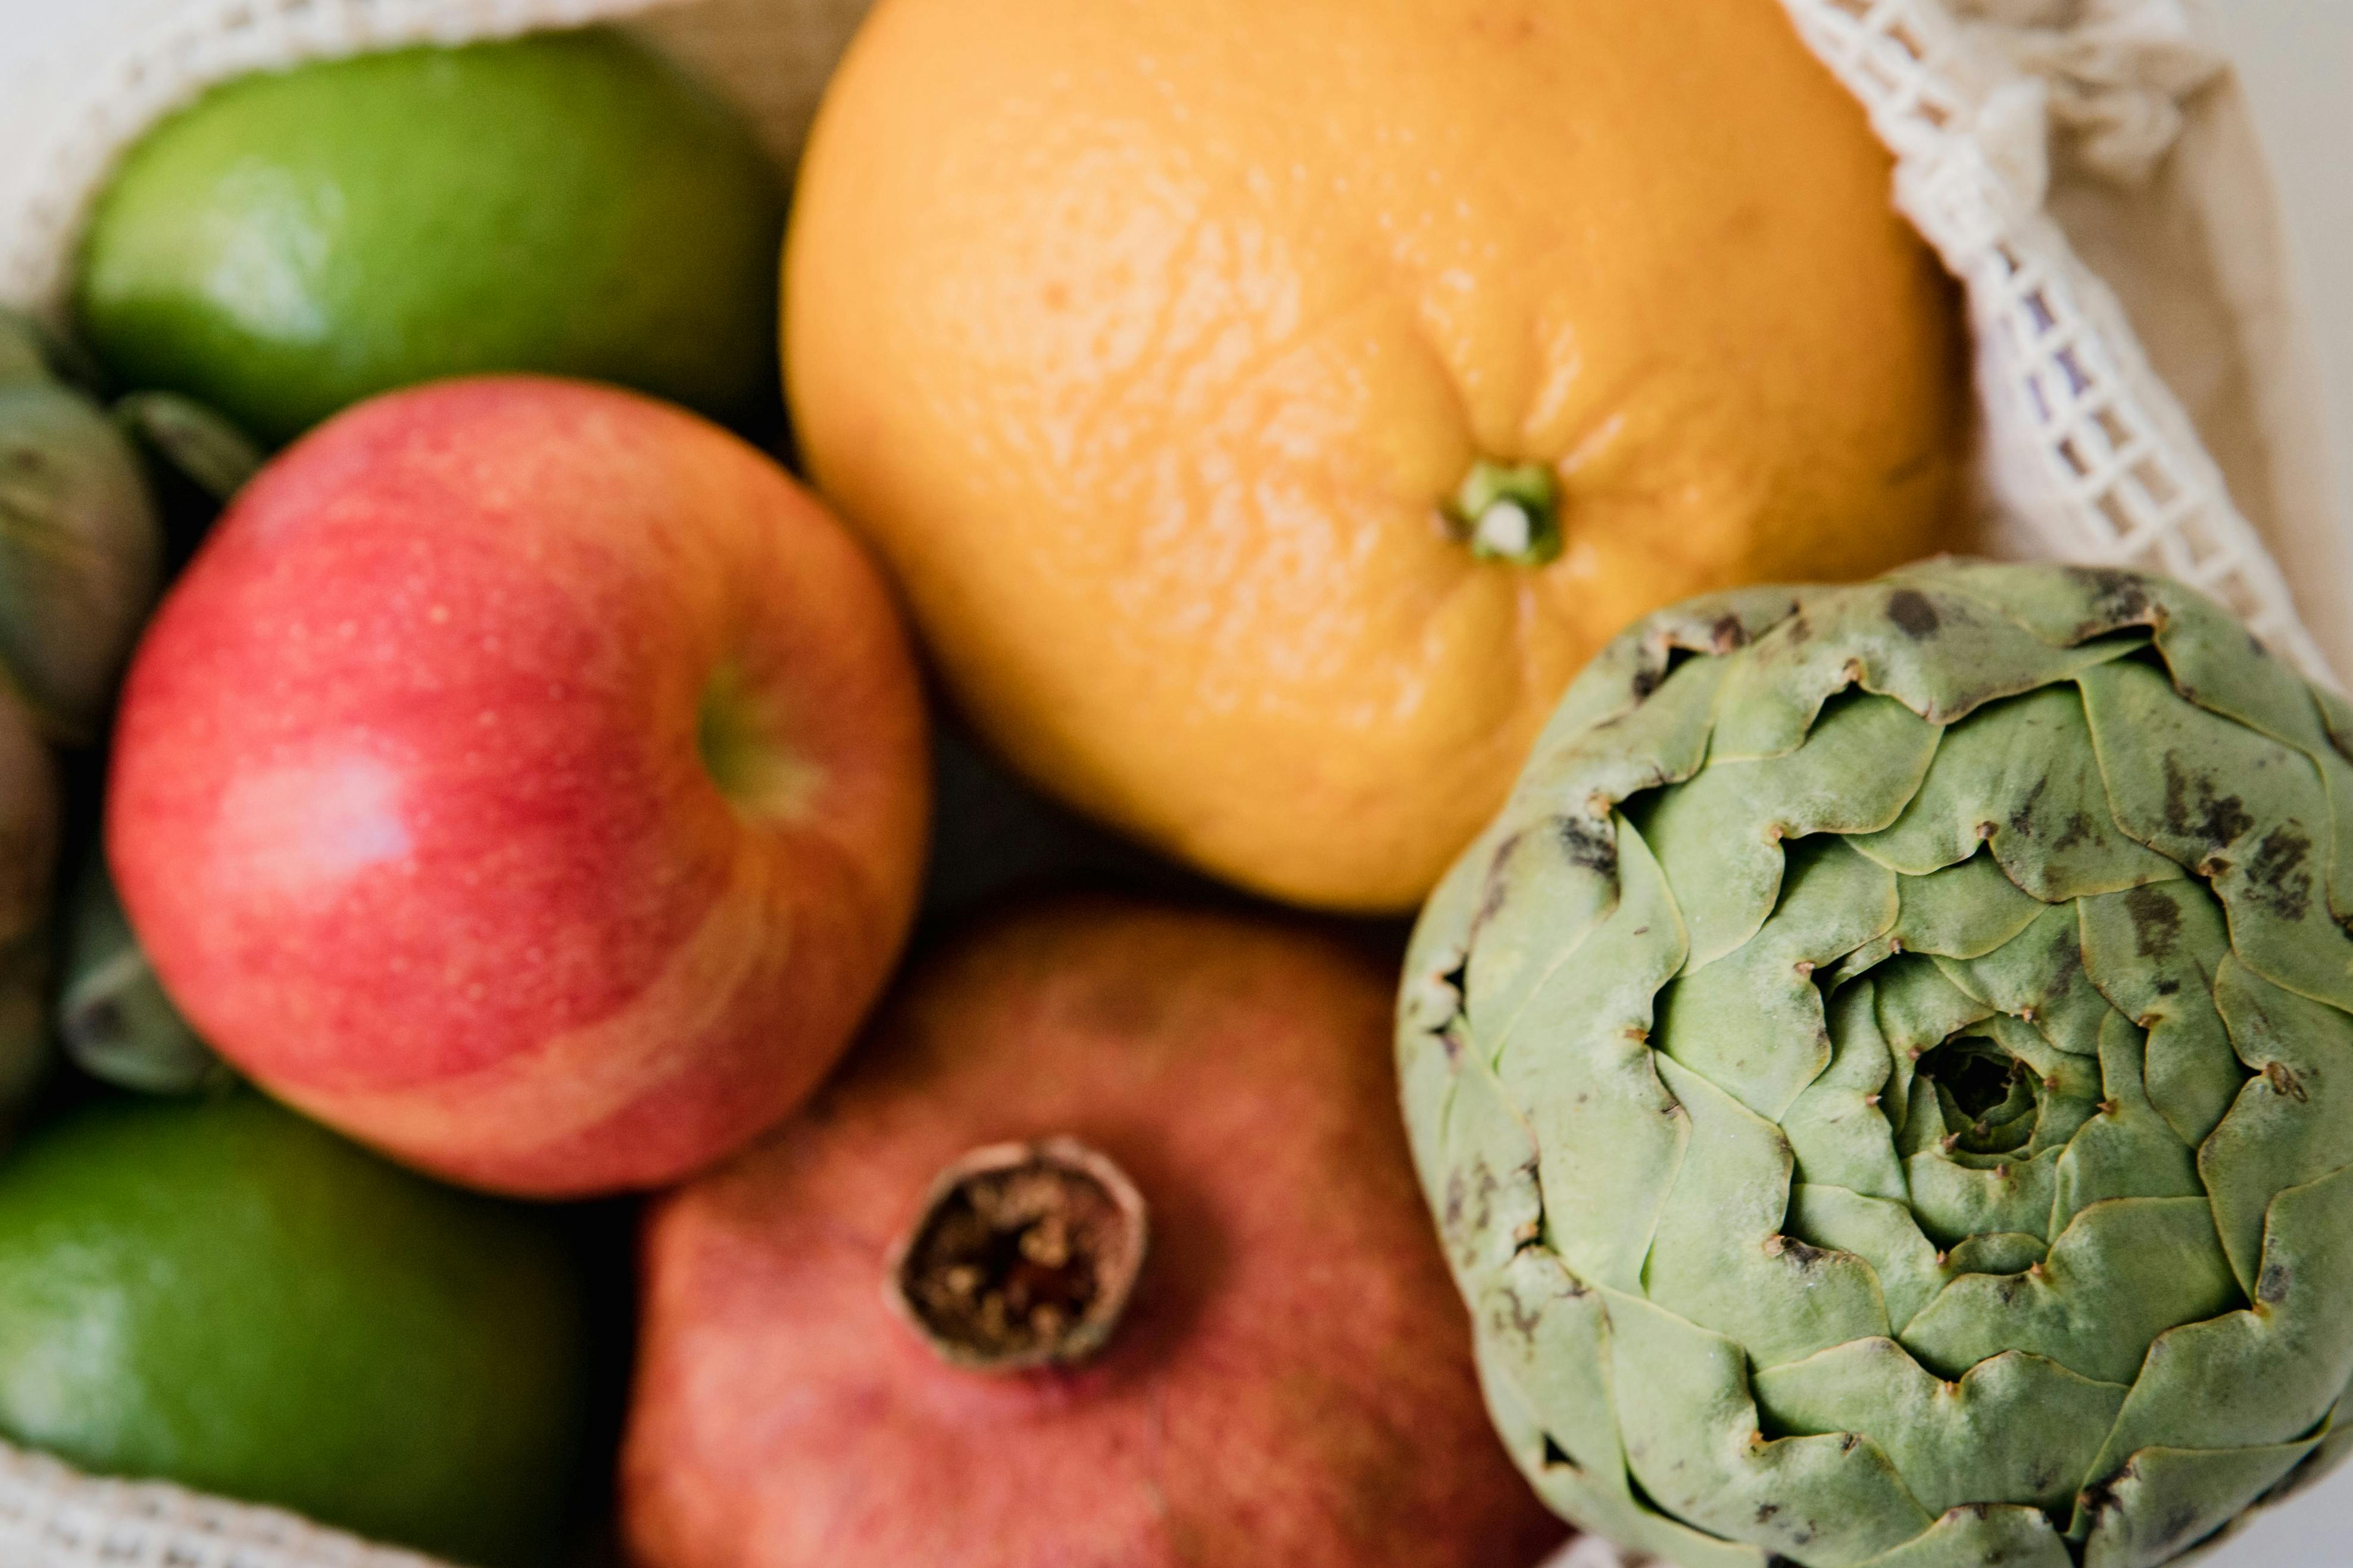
[220,1294]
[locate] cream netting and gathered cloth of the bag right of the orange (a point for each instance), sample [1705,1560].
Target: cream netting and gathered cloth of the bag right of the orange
[2091,453]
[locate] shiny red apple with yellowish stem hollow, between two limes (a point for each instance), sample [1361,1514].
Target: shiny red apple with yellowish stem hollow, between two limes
[528,780]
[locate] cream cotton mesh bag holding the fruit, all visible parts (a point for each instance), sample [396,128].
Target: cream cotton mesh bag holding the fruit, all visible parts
[2084,166]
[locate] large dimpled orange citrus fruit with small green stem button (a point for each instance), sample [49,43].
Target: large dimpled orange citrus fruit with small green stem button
[1156,345]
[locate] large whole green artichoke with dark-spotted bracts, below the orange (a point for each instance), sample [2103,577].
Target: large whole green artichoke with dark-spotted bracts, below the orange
[1888,1077]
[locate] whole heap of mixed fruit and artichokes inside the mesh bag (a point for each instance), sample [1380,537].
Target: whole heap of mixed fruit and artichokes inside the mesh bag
[519,1039]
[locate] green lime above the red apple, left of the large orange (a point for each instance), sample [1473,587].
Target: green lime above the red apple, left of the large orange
[564,204]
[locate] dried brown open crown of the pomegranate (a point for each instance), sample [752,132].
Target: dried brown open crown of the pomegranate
[1022,1258]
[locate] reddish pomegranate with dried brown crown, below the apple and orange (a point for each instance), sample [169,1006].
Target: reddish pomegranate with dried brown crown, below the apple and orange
[1291,1378]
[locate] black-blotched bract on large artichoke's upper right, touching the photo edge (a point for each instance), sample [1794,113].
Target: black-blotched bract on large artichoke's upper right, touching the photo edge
[2241,809]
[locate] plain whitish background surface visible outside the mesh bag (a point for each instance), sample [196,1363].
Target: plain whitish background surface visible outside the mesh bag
[2298,58]
